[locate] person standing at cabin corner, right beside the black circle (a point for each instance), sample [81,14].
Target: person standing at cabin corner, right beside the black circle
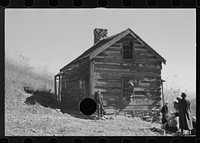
[99,101]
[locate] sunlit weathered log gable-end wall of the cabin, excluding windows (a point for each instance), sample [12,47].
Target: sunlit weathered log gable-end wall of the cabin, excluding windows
[110,69]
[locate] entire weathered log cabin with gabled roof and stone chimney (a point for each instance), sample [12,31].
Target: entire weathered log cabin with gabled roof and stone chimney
[124,67]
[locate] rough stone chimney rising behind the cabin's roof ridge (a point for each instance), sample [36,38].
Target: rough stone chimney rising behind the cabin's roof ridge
[99,34]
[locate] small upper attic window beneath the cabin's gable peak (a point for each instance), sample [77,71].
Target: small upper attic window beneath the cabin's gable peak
[128,50]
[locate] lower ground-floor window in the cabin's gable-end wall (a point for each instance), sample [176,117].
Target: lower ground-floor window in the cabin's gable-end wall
[126,86]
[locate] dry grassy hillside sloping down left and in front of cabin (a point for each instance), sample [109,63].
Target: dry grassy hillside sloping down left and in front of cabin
[37,113]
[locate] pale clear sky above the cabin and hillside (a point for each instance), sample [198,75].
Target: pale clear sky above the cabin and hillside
[51,38]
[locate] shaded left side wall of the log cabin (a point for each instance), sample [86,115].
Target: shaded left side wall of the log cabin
[72,93]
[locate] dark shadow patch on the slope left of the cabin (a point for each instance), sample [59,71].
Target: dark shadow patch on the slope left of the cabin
[43,97]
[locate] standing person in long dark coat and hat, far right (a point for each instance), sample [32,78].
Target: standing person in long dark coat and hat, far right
[185,119]
